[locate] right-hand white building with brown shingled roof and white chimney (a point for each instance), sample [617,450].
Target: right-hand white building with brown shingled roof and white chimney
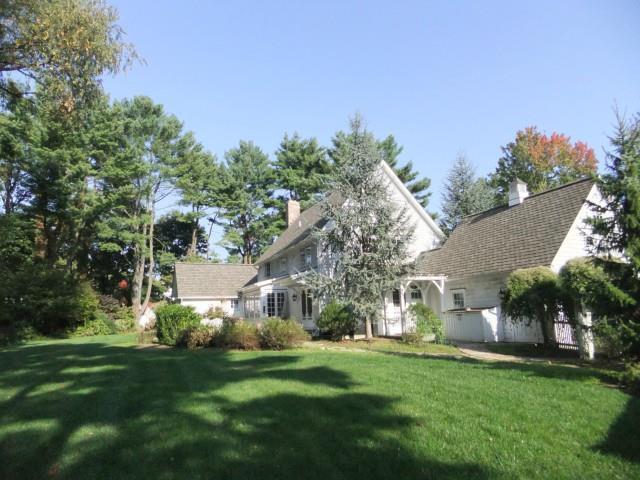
[545,229]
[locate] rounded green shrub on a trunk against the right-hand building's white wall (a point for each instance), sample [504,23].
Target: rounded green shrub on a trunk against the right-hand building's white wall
[533,294]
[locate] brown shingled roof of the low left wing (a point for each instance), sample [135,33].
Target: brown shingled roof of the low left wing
[211,280]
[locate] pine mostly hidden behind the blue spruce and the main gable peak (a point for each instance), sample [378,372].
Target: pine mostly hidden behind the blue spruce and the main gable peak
[389,151]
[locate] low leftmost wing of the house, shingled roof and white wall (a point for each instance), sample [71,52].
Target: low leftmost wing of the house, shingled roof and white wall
[204,285]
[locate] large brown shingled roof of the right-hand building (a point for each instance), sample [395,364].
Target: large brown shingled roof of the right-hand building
[507,238]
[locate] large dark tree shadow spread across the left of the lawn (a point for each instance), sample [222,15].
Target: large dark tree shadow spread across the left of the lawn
[99,411]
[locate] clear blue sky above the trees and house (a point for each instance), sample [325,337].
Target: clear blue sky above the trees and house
[443,77]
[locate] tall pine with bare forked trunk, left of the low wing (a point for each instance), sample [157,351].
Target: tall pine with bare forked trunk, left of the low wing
[136,167]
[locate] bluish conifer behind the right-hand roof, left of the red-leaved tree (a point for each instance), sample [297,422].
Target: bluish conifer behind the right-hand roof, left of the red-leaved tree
[463,194]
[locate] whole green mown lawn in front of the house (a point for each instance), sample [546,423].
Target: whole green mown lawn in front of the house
[102,408]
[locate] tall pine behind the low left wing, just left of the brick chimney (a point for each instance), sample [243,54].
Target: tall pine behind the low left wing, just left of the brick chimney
[249,217]
